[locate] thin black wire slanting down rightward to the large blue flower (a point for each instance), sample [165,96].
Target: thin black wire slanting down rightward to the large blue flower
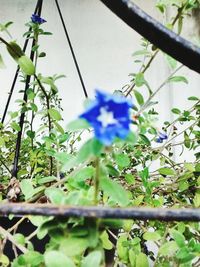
[72,50]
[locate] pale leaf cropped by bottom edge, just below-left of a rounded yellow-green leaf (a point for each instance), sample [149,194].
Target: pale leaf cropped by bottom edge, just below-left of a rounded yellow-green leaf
[57,259]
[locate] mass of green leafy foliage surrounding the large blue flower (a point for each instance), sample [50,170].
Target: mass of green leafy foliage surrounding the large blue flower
[132,172]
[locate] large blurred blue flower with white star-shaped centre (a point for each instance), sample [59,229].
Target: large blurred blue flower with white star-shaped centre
[109,115]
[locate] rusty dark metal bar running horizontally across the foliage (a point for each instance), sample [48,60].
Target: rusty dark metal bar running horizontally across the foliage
[101,212]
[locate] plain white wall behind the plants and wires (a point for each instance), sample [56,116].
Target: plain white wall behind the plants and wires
[103,45]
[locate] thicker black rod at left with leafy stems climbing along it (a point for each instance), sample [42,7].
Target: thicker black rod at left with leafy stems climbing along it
[22,117]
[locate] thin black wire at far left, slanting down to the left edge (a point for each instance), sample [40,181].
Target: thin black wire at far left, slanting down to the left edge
[17,71]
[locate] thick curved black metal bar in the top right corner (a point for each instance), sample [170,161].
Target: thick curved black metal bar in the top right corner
[168,41]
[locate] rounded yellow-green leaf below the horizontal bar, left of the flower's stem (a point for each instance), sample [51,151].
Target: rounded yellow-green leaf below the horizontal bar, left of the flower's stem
[73,246]
